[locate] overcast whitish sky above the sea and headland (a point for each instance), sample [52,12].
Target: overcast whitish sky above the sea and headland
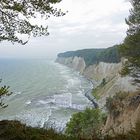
[88,24]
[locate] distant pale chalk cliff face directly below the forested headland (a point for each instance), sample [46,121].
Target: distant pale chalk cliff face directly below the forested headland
[94,72]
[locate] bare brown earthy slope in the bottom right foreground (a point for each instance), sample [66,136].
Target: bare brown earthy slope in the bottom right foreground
[128,114]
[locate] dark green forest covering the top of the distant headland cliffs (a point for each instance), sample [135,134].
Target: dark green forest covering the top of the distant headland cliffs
[93,56]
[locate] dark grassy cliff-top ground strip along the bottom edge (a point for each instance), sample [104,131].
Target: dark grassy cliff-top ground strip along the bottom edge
[14,130]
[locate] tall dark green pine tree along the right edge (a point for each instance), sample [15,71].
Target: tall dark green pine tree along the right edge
[130,49]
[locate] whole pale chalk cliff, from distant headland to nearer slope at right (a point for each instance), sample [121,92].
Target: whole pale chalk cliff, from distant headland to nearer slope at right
[100,71]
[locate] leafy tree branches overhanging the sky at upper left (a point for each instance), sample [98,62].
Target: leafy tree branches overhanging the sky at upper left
[15,17]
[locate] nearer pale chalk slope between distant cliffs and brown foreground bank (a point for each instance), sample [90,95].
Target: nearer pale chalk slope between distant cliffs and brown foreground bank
[115,85]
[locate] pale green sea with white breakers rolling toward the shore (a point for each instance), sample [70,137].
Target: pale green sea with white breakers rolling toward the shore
[44,93]
